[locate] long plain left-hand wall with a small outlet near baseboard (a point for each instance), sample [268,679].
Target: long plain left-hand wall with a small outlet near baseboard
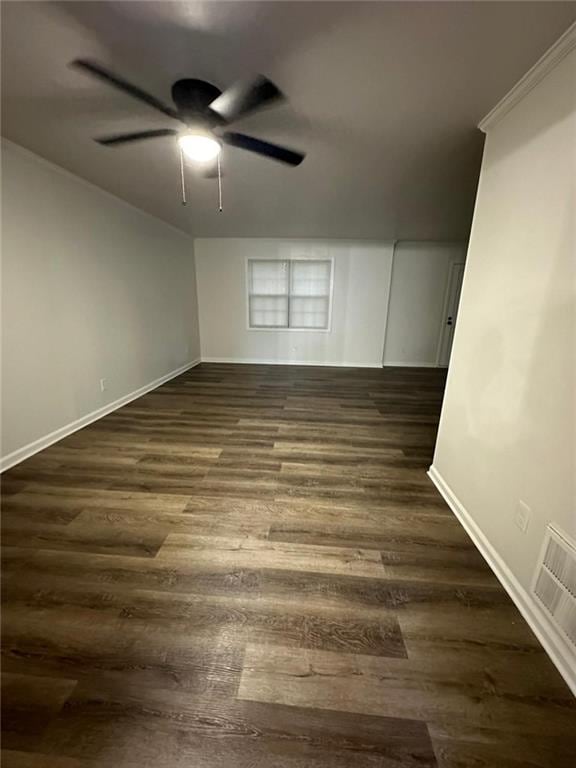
[92,288]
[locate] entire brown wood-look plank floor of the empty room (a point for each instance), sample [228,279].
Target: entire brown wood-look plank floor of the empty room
[249,567]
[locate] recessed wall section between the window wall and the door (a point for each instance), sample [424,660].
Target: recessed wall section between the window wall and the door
[417,297]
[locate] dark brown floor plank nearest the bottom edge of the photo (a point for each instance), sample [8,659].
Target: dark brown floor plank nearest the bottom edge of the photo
[141,723]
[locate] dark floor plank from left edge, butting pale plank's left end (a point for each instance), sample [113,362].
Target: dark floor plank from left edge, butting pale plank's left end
[96,641]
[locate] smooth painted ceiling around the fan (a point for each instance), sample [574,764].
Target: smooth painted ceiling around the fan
[384,98]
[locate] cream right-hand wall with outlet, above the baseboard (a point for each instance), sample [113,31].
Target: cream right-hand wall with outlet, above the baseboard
[508,422]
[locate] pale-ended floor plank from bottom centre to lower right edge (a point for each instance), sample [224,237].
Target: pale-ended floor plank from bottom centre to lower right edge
[401,688]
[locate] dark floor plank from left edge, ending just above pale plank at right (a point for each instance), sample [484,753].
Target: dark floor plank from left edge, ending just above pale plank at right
[205,617]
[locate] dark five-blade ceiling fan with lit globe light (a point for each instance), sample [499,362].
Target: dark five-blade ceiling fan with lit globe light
[205,112]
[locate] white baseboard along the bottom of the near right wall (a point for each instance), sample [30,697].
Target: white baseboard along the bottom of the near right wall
[536,618]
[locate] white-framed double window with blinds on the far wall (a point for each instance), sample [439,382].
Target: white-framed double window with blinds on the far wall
[289,294]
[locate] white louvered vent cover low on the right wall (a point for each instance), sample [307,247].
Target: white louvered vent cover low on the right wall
[555,582]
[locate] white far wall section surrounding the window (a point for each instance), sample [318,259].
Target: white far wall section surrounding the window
[360,298]
